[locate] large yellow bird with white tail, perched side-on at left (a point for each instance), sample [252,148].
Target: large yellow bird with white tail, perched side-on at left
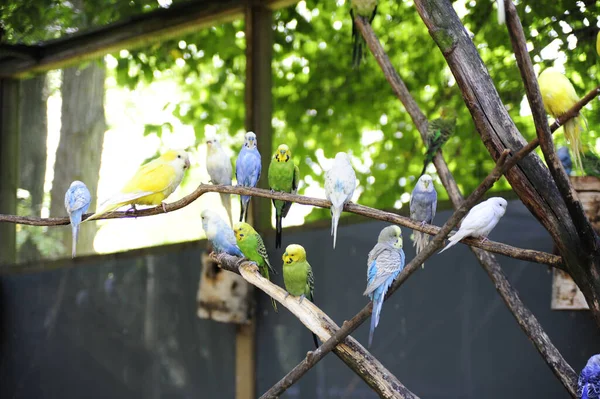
[151,184]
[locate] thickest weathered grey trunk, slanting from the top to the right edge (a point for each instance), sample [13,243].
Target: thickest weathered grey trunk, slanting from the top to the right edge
[531,180]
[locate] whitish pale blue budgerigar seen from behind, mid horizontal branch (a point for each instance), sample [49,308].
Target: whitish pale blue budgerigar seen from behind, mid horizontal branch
[340,182]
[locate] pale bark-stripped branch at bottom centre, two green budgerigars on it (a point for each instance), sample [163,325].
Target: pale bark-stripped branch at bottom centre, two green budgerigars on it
[351,351]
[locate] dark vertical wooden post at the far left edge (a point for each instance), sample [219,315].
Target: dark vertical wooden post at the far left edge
[9,164]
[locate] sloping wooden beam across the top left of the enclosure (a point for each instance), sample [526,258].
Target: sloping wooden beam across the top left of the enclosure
[162,24]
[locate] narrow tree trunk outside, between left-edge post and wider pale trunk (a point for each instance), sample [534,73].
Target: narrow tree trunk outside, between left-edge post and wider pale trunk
[32,152]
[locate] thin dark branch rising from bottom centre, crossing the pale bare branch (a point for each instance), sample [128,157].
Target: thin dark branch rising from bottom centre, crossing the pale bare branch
[349,326]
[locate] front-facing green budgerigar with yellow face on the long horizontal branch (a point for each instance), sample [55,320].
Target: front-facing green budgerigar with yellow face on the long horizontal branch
[284,177]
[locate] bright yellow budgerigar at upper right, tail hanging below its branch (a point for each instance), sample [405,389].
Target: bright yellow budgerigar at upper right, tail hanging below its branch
[559,96]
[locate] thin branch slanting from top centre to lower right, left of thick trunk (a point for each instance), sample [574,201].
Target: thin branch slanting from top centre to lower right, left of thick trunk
[526,320]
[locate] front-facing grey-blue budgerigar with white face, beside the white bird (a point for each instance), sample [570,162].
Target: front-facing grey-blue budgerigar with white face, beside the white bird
[423,204]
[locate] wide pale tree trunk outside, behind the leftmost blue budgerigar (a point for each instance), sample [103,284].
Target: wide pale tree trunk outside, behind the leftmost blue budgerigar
[80,146]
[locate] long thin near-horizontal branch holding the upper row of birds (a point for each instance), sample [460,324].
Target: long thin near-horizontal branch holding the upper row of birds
[493,246]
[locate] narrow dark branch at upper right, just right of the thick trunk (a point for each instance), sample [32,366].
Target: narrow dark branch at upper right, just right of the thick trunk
[517,36]
